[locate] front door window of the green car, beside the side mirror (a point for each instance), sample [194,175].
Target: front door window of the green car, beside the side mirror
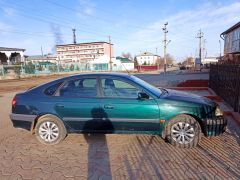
[115,88]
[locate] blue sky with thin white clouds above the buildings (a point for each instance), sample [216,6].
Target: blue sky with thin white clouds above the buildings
[135,26]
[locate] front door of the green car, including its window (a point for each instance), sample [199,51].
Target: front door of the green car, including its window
[123,108]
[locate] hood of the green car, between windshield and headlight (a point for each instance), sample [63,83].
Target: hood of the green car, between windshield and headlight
[188,97]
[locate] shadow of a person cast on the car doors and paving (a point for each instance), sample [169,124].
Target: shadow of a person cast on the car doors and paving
[98,152]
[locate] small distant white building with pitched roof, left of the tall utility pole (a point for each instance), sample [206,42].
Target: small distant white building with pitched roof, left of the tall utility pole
[147,58]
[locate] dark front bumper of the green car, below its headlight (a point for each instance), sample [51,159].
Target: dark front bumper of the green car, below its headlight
[215,126]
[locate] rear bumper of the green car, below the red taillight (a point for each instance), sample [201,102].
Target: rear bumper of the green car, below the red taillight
[22,120]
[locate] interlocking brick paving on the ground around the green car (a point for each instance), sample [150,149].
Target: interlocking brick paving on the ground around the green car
[114,156]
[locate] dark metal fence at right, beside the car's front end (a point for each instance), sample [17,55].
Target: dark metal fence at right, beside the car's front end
[224,79]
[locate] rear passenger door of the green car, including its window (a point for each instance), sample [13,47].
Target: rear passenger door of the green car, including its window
[78,104]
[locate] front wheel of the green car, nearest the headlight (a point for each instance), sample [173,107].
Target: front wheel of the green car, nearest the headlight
[187,139]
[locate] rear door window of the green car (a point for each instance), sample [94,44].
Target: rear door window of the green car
[80,88]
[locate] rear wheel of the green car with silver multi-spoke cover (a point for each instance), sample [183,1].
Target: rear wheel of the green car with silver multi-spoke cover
[56,126]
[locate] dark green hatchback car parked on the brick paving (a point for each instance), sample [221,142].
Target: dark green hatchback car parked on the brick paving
[114,103]
